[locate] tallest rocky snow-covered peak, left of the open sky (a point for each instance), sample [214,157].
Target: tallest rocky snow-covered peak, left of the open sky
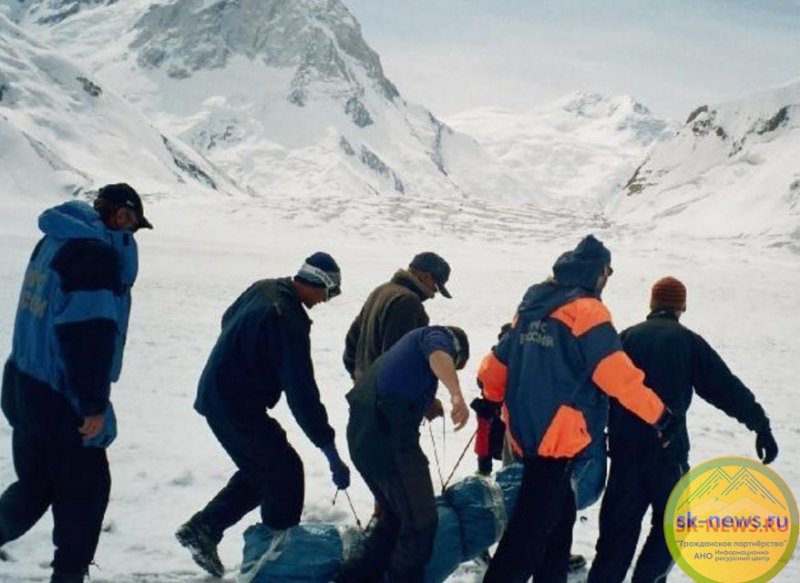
[285,97]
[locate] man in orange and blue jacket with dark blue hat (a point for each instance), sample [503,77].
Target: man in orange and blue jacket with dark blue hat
[554,371]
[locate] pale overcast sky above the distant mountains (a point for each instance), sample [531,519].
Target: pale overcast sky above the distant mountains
[673,55]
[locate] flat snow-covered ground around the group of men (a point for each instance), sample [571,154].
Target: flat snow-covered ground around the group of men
[166,464]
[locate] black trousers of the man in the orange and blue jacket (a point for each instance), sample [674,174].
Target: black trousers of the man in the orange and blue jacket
[538,537]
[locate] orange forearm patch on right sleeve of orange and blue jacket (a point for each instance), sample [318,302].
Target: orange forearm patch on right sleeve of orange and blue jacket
[617,376]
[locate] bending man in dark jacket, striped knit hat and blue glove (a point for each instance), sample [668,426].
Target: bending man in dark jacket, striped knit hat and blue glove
[264,351]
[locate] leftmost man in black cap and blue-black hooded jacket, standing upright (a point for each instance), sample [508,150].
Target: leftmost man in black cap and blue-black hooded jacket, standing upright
[69,336]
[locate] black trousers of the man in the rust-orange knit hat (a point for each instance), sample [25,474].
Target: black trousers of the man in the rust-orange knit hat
[632,488]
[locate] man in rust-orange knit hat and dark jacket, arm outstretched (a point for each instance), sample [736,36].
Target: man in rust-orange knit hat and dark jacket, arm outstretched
[676,362]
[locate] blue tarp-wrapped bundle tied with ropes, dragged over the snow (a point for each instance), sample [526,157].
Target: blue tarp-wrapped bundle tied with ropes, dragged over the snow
[472,516]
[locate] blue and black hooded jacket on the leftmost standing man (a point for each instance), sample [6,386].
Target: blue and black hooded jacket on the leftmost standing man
[72,319]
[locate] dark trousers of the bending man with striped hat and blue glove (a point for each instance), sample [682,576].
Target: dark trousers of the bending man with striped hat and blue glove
[270,475]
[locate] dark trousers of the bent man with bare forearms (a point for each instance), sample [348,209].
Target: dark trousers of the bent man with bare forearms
[383,440]
